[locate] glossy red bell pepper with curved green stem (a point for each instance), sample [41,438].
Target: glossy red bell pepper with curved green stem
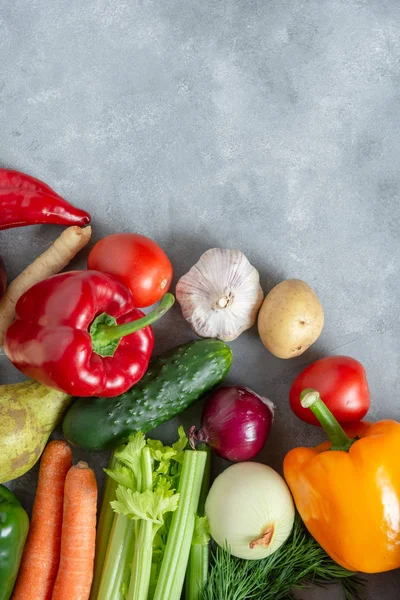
[80,332]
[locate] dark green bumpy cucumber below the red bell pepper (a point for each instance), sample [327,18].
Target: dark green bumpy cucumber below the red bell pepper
[172,383]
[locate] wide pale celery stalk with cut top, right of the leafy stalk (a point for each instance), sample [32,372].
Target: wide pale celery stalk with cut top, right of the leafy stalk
[176,555]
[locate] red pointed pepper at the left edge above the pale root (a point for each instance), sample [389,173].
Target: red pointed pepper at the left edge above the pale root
[25,200]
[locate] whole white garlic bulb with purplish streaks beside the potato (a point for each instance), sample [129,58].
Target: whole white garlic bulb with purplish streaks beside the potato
[220,295]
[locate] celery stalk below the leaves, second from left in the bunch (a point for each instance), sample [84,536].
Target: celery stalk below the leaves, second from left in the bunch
[119,554]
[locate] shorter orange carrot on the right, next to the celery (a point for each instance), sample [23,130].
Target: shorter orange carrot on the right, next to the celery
[78,538]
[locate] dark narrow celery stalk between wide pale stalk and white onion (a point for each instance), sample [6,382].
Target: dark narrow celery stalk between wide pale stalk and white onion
[197,570]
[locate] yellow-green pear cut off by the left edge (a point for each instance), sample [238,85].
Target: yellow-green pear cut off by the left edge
[29,411]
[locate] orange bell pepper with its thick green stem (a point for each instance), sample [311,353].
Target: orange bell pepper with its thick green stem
[347,491]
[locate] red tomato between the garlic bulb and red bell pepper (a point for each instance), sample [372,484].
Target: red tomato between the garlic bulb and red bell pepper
[137,261]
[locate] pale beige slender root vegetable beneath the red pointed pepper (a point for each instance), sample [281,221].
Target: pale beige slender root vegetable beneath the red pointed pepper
[52,261]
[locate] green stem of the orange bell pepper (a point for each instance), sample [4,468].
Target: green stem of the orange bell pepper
[311,399]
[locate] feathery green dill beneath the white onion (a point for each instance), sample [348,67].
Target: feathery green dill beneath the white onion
[299,563]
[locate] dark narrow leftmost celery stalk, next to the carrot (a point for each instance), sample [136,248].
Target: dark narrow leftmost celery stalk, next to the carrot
[103,529]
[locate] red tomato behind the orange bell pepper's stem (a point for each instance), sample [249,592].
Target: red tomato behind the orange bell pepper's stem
[342,384]
